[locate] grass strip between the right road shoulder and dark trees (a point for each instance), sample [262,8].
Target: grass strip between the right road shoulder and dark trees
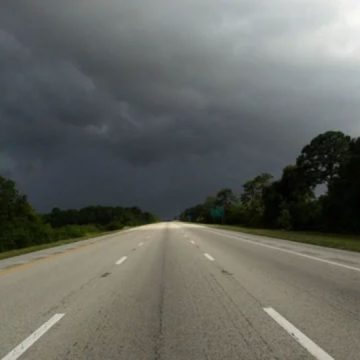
[337,241]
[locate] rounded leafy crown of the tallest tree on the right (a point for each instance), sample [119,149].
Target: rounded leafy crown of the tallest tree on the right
[321,160]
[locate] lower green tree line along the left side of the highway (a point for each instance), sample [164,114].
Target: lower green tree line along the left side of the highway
[21,226]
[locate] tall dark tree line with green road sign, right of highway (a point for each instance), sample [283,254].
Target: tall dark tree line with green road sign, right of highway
[319,192]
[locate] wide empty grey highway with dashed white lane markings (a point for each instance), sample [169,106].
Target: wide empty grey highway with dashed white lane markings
[181,291]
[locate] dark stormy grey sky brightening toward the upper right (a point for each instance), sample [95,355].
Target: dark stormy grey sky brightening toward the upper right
[161,103]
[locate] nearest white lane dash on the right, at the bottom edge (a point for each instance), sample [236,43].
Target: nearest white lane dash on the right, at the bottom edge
[301,338]
